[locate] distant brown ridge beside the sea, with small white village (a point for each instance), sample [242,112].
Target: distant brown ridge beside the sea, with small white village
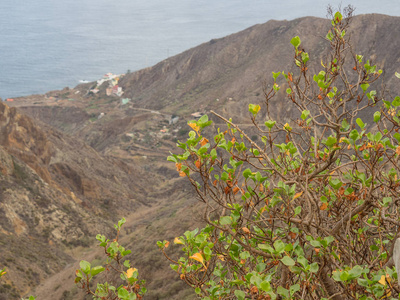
[224,75]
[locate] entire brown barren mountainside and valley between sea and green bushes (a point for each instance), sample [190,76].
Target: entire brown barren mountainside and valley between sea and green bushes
[105,152]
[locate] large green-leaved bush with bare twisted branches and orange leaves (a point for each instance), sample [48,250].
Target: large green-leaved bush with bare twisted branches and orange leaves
[311,209]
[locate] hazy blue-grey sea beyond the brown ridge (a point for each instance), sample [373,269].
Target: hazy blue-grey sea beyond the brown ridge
[47,44]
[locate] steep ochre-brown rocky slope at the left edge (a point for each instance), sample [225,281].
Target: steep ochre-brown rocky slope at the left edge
[55,193]
